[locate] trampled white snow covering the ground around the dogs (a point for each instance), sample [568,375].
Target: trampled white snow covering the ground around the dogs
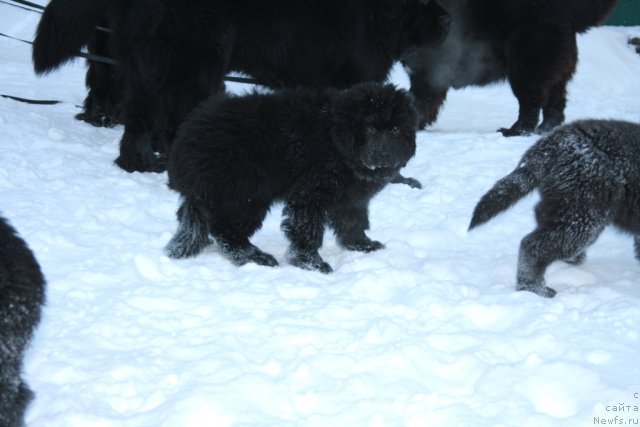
[427,332]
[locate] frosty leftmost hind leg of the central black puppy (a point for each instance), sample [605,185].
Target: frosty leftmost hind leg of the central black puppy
[193,232]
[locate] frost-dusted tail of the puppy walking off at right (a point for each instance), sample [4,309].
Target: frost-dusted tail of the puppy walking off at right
[504,194]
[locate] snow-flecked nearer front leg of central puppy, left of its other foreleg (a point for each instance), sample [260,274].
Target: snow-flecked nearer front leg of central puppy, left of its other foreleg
[303,225]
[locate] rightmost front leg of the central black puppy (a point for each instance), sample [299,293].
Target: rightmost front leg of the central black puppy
[350,223]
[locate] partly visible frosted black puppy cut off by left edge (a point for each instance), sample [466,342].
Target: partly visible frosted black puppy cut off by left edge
[21,298]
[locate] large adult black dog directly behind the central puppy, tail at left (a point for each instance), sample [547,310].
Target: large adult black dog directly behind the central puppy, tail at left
[174,53]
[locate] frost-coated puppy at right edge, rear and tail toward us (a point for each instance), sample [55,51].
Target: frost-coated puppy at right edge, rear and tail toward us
[588,176]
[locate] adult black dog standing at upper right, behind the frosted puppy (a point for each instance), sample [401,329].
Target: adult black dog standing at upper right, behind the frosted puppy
[532,43]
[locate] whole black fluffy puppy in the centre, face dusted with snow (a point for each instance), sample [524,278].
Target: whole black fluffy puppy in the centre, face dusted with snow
[324,152]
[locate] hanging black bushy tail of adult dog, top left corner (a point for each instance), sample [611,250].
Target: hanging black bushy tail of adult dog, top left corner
[65,27]
